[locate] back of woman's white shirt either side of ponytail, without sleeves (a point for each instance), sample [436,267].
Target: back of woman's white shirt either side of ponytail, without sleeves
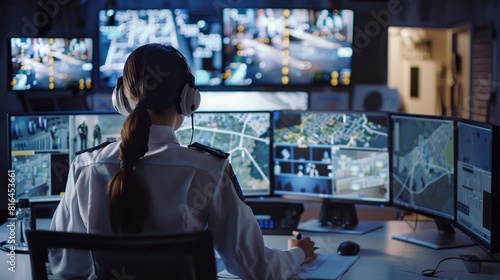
[178,183]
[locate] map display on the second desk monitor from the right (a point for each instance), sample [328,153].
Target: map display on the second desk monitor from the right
[423,163]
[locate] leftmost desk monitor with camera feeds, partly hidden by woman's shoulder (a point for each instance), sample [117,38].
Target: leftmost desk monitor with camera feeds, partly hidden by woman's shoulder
[43,145]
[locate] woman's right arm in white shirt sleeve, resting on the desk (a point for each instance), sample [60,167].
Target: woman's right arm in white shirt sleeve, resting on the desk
[238,237]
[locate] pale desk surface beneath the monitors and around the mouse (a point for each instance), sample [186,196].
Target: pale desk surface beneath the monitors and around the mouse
[381,257]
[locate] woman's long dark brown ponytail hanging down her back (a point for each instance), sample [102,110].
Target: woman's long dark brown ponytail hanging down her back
[127,200]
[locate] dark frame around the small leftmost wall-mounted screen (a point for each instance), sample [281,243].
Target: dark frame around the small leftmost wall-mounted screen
[47,90]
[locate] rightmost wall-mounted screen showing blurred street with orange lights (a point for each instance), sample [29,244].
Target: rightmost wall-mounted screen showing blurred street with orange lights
[281,46]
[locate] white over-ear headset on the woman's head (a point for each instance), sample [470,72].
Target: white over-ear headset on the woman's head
[190,97]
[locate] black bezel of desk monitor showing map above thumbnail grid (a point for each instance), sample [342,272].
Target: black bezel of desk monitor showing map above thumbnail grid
[332,198]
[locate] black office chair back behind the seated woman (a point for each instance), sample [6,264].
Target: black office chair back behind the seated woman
[183,256]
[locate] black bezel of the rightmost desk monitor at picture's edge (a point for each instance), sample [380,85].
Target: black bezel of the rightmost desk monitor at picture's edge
[493,245]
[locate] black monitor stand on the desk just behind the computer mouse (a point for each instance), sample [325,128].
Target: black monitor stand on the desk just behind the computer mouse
[339,218]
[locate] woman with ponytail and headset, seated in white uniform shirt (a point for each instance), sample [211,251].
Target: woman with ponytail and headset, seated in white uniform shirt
[148,183]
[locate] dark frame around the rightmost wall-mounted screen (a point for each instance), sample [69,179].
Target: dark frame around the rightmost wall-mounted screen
[226,57]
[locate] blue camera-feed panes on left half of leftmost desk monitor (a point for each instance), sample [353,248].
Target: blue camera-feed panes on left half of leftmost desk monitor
[39,150]
